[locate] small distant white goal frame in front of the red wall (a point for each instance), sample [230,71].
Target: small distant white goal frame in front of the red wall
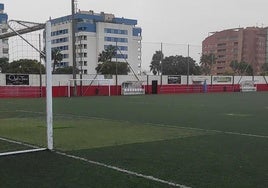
[91,82]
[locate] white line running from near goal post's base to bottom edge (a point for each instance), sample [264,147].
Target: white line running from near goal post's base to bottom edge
[123,170]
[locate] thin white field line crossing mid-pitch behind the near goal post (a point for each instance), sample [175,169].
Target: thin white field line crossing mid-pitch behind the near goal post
[161,125]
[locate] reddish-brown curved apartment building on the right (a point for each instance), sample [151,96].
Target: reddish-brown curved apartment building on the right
[239,44]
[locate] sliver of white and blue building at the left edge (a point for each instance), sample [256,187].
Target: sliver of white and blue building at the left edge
[3,28]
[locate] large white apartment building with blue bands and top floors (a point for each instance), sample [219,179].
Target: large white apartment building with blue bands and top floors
[94,32]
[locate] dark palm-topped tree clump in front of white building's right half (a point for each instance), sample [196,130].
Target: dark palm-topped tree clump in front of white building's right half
[107,66]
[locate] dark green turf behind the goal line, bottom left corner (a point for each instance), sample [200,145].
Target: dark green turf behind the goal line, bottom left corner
[47,169]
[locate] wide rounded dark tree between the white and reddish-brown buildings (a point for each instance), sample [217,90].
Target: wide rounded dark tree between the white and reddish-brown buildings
[178,65]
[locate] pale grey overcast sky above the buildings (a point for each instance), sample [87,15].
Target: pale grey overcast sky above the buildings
[176,23]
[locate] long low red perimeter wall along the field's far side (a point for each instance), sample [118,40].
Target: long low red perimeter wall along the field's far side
[62,91]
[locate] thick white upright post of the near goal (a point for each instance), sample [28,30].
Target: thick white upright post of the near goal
[49,87]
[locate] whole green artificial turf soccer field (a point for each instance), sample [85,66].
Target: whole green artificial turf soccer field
[196,140]
